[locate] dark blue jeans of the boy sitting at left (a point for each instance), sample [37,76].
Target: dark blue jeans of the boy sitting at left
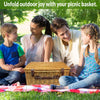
[9,77]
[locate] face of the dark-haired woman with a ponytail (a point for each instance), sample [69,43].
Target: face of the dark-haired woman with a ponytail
[35,29]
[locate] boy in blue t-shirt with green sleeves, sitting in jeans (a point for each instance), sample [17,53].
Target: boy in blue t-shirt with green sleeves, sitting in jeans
[12,56]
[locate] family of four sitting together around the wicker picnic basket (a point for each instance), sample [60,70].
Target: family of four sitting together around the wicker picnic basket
[79,50]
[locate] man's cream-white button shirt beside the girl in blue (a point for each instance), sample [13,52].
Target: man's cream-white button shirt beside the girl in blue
[71,52]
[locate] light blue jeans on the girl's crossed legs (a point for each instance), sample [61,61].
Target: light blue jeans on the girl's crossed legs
[75,82]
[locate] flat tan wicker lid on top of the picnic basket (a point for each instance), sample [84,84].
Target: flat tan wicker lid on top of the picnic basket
[46,66]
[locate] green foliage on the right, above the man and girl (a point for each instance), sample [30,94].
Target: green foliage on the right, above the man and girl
[75,17]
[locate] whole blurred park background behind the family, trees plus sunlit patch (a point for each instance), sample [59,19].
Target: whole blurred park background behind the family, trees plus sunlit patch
[22,17]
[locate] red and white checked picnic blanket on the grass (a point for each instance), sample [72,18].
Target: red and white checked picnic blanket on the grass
[44,88]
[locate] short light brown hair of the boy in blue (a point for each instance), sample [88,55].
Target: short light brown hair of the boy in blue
[7,28]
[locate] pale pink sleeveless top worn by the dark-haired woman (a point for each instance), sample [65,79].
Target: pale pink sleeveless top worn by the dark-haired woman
[34,52]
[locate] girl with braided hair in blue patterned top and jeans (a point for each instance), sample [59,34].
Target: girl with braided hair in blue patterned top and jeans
[89,58]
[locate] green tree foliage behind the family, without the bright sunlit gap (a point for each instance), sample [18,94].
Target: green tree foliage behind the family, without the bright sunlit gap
[75,17]
